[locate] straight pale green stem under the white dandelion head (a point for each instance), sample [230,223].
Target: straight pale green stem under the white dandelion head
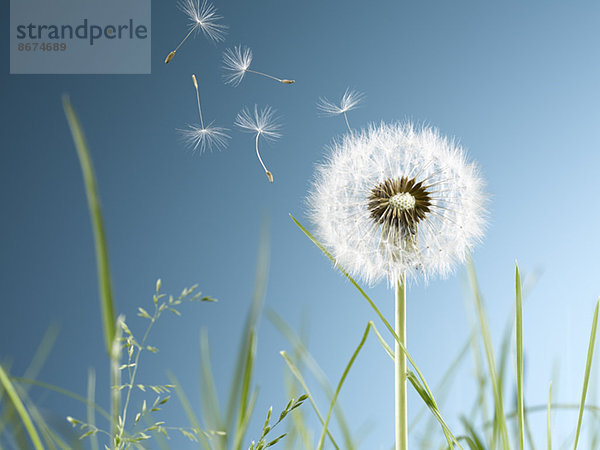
[400,367]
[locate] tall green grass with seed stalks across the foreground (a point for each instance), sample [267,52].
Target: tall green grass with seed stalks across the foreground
[222,424]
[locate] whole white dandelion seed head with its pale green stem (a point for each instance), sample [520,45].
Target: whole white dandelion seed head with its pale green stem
[399,202]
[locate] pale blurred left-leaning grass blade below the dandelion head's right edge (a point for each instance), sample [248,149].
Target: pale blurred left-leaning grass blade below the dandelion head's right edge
[499,418]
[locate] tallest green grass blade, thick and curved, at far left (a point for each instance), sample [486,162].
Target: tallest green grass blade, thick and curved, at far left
[87,169]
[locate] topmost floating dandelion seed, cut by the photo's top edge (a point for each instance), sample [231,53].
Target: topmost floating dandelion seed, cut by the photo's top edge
[202,17]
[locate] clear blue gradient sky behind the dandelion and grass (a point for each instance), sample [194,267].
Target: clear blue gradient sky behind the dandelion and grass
[517,84]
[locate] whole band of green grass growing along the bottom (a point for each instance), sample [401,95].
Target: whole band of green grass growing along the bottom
[219,426]
